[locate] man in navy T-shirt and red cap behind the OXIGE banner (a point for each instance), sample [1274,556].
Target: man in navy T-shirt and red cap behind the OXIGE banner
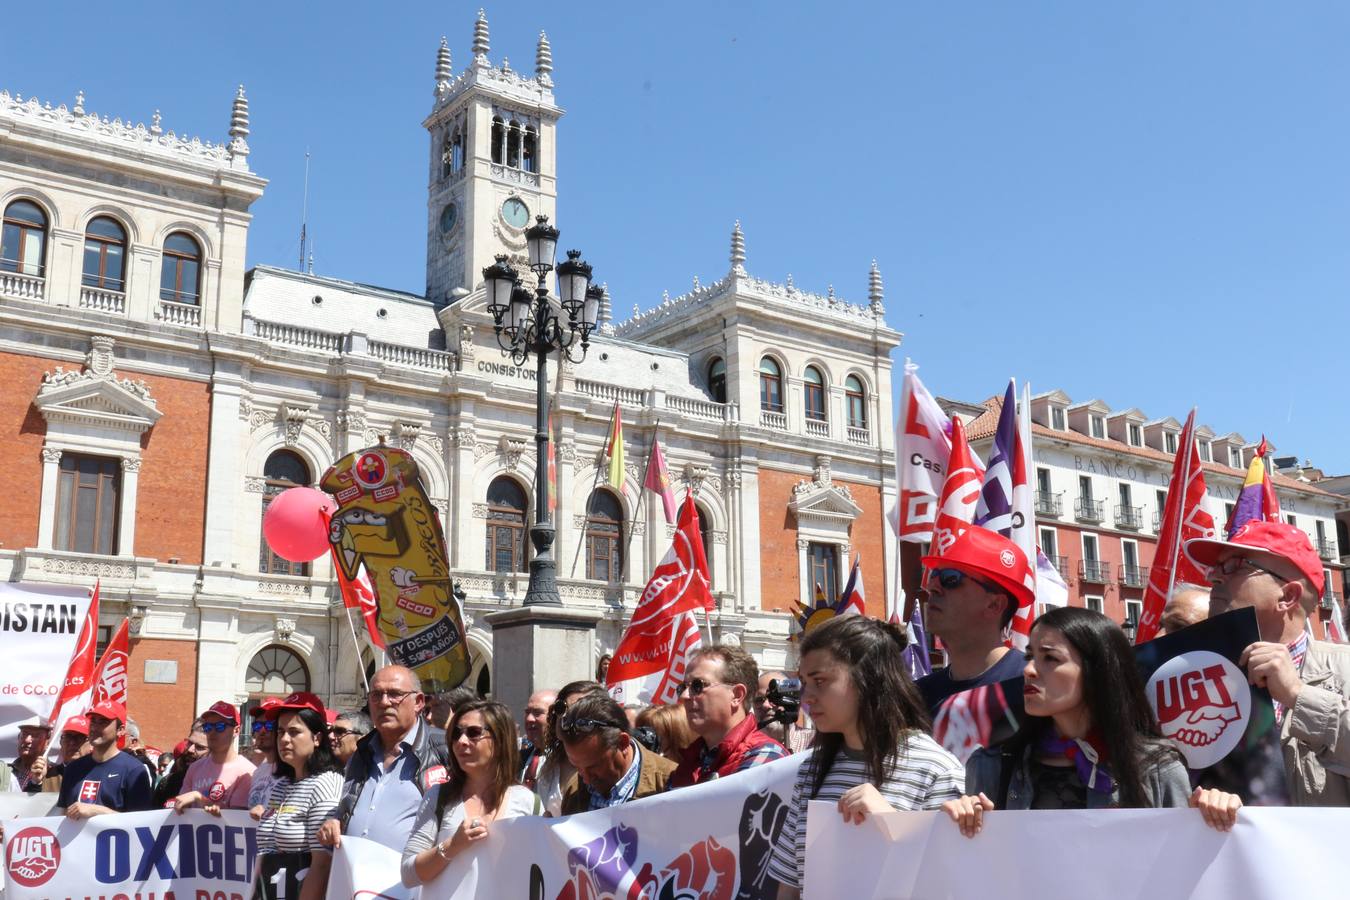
[107,781]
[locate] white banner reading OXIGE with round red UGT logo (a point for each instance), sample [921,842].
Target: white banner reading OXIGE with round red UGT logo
[194,855]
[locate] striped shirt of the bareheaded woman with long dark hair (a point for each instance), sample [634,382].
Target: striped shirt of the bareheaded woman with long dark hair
[925,778]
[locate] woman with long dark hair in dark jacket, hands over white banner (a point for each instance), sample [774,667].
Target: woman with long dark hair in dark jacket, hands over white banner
[1090,740]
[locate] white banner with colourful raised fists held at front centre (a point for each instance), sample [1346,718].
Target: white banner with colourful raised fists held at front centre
[712,840]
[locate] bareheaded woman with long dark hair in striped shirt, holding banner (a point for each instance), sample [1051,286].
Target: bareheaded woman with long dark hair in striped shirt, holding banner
[873,750]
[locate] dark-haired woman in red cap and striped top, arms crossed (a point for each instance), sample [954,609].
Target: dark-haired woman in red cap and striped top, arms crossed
[303,797]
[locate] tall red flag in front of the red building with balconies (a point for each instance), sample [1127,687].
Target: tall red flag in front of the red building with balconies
[1183,519]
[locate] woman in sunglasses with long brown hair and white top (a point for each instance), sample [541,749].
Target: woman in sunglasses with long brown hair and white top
[483,789]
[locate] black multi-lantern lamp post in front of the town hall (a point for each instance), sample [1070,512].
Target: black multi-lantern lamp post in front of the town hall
[529,323]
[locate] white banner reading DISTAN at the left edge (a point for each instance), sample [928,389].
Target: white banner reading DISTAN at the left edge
[40,625]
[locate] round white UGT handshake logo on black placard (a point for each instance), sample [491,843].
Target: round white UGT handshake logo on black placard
[1202,702]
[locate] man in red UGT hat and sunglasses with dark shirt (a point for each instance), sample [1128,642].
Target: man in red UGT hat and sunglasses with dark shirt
[975,590]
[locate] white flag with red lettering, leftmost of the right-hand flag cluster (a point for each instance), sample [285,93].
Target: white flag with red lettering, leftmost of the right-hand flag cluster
[923,447]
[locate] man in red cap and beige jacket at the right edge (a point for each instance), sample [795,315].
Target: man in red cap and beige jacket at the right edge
[1272,569]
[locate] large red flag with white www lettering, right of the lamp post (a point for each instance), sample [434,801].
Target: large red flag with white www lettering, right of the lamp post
[651,659]
